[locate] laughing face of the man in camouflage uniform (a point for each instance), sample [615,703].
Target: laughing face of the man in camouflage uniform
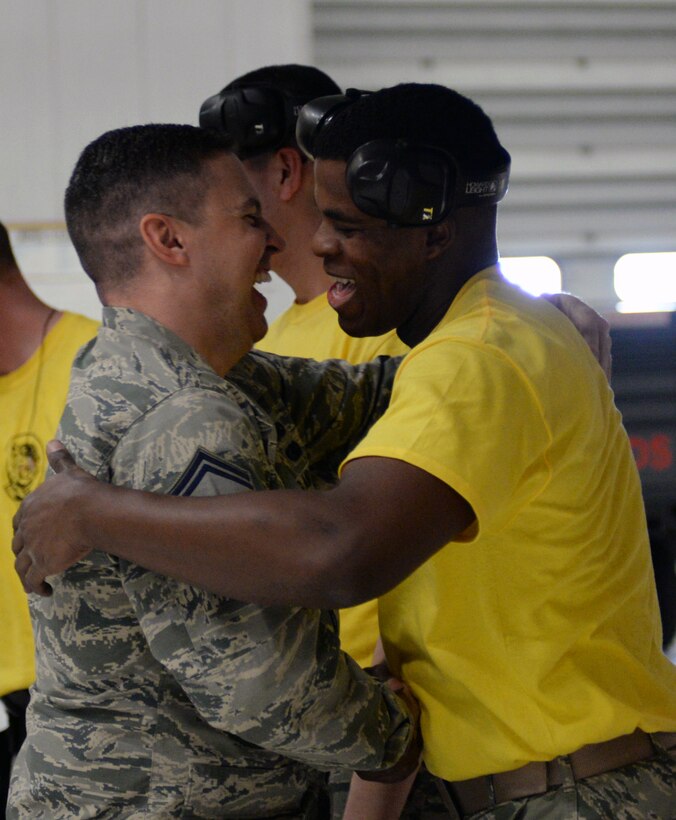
[231,248]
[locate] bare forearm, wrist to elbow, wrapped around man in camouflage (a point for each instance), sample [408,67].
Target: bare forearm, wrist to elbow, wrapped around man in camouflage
[262,547]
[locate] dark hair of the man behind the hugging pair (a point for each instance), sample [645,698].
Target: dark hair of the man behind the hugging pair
[300,82]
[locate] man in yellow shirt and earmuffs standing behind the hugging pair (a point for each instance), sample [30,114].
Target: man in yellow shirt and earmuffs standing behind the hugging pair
[284,180]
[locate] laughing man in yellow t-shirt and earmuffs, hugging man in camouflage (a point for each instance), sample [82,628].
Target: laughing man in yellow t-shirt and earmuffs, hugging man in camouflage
[497,497]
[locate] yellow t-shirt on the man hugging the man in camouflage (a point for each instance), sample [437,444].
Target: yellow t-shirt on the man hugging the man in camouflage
[538,631]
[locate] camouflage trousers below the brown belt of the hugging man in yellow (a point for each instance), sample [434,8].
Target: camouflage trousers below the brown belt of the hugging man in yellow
[640,791]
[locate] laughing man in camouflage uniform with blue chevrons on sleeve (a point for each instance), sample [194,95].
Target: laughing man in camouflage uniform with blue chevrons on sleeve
[154,698]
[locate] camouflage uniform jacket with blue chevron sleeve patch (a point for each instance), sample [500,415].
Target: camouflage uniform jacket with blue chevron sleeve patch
[156,699]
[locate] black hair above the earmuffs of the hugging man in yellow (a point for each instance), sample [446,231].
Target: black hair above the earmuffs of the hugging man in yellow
[423,114]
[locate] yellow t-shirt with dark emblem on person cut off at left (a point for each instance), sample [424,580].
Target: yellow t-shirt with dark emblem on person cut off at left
[36,390]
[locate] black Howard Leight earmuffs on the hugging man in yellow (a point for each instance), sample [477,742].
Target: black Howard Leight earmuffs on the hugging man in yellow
[409,185]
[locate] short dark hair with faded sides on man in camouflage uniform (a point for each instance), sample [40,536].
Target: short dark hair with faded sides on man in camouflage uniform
[125,174]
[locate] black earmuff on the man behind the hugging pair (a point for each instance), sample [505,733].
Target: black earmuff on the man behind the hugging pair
[257,118]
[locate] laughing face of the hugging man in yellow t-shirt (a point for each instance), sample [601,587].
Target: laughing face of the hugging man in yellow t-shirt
[381,272]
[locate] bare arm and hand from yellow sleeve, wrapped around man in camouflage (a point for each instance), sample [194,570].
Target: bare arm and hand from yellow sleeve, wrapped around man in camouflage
[325,549]
